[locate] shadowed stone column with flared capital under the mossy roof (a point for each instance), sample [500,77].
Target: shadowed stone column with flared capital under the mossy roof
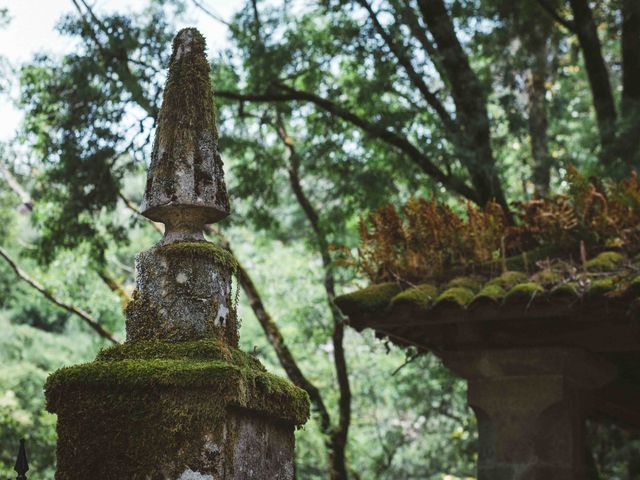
[531,406]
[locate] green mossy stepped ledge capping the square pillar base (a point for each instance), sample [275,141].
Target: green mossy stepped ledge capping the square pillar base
[189,365]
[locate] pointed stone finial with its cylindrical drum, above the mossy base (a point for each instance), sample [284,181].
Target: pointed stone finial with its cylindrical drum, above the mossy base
[183,289]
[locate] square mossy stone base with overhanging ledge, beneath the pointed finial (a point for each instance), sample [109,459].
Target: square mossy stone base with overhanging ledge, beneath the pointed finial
[196,410]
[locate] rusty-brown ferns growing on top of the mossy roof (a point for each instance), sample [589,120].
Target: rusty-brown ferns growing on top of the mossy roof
[429,240]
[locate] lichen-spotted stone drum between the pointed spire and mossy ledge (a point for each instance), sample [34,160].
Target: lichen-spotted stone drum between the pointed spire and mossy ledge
[183,293]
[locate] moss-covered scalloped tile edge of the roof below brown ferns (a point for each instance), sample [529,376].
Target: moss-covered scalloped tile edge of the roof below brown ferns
[610,274]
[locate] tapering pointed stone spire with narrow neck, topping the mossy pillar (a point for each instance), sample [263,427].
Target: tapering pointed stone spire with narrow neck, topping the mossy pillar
[185,184]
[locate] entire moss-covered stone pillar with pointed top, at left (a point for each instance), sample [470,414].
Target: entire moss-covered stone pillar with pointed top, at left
[179,400]
